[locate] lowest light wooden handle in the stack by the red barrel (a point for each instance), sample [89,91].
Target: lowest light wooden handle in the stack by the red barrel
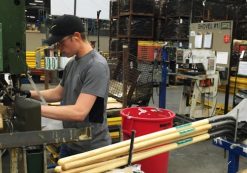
[149,153]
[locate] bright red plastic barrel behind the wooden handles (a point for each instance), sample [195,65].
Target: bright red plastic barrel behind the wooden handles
[145,120]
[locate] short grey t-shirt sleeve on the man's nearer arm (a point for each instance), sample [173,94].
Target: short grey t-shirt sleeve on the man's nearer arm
[96,80]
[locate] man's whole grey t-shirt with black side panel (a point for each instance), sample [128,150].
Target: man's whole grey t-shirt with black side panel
[88,74]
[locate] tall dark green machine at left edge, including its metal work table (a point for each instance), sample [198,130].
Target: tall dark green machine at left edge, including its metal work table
[21,133]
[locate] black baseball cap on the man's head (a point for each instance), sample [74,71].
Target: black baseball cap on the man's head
[63,26]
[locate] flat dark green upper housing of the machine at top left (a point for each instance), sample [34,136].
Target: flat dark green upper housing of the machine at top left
[12,37]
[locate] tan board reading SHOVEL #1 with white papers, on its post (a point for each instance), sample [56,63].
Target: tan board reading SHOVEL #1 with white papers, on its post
[216,36]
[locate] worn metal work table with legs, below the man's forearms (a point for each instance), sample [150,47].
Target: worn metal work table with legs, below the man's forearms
[20,143]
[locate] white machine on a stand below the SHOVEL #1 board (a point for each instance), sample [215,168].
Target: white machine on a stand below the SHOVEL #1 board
[198,70]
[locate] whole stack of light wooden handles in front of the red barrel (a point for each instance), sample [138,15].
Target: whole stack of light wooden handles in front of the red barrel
[116,155]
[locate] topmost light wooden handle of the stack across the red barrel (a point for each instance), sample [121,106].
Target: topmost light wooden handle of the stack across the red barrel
[127,142]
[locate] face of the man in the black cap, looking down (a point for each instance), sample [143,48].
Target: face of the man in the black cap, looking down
[67,46]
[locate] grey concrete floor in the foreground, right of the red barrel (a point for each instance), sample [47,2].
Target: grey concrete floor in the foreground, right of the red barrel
[203,157]
